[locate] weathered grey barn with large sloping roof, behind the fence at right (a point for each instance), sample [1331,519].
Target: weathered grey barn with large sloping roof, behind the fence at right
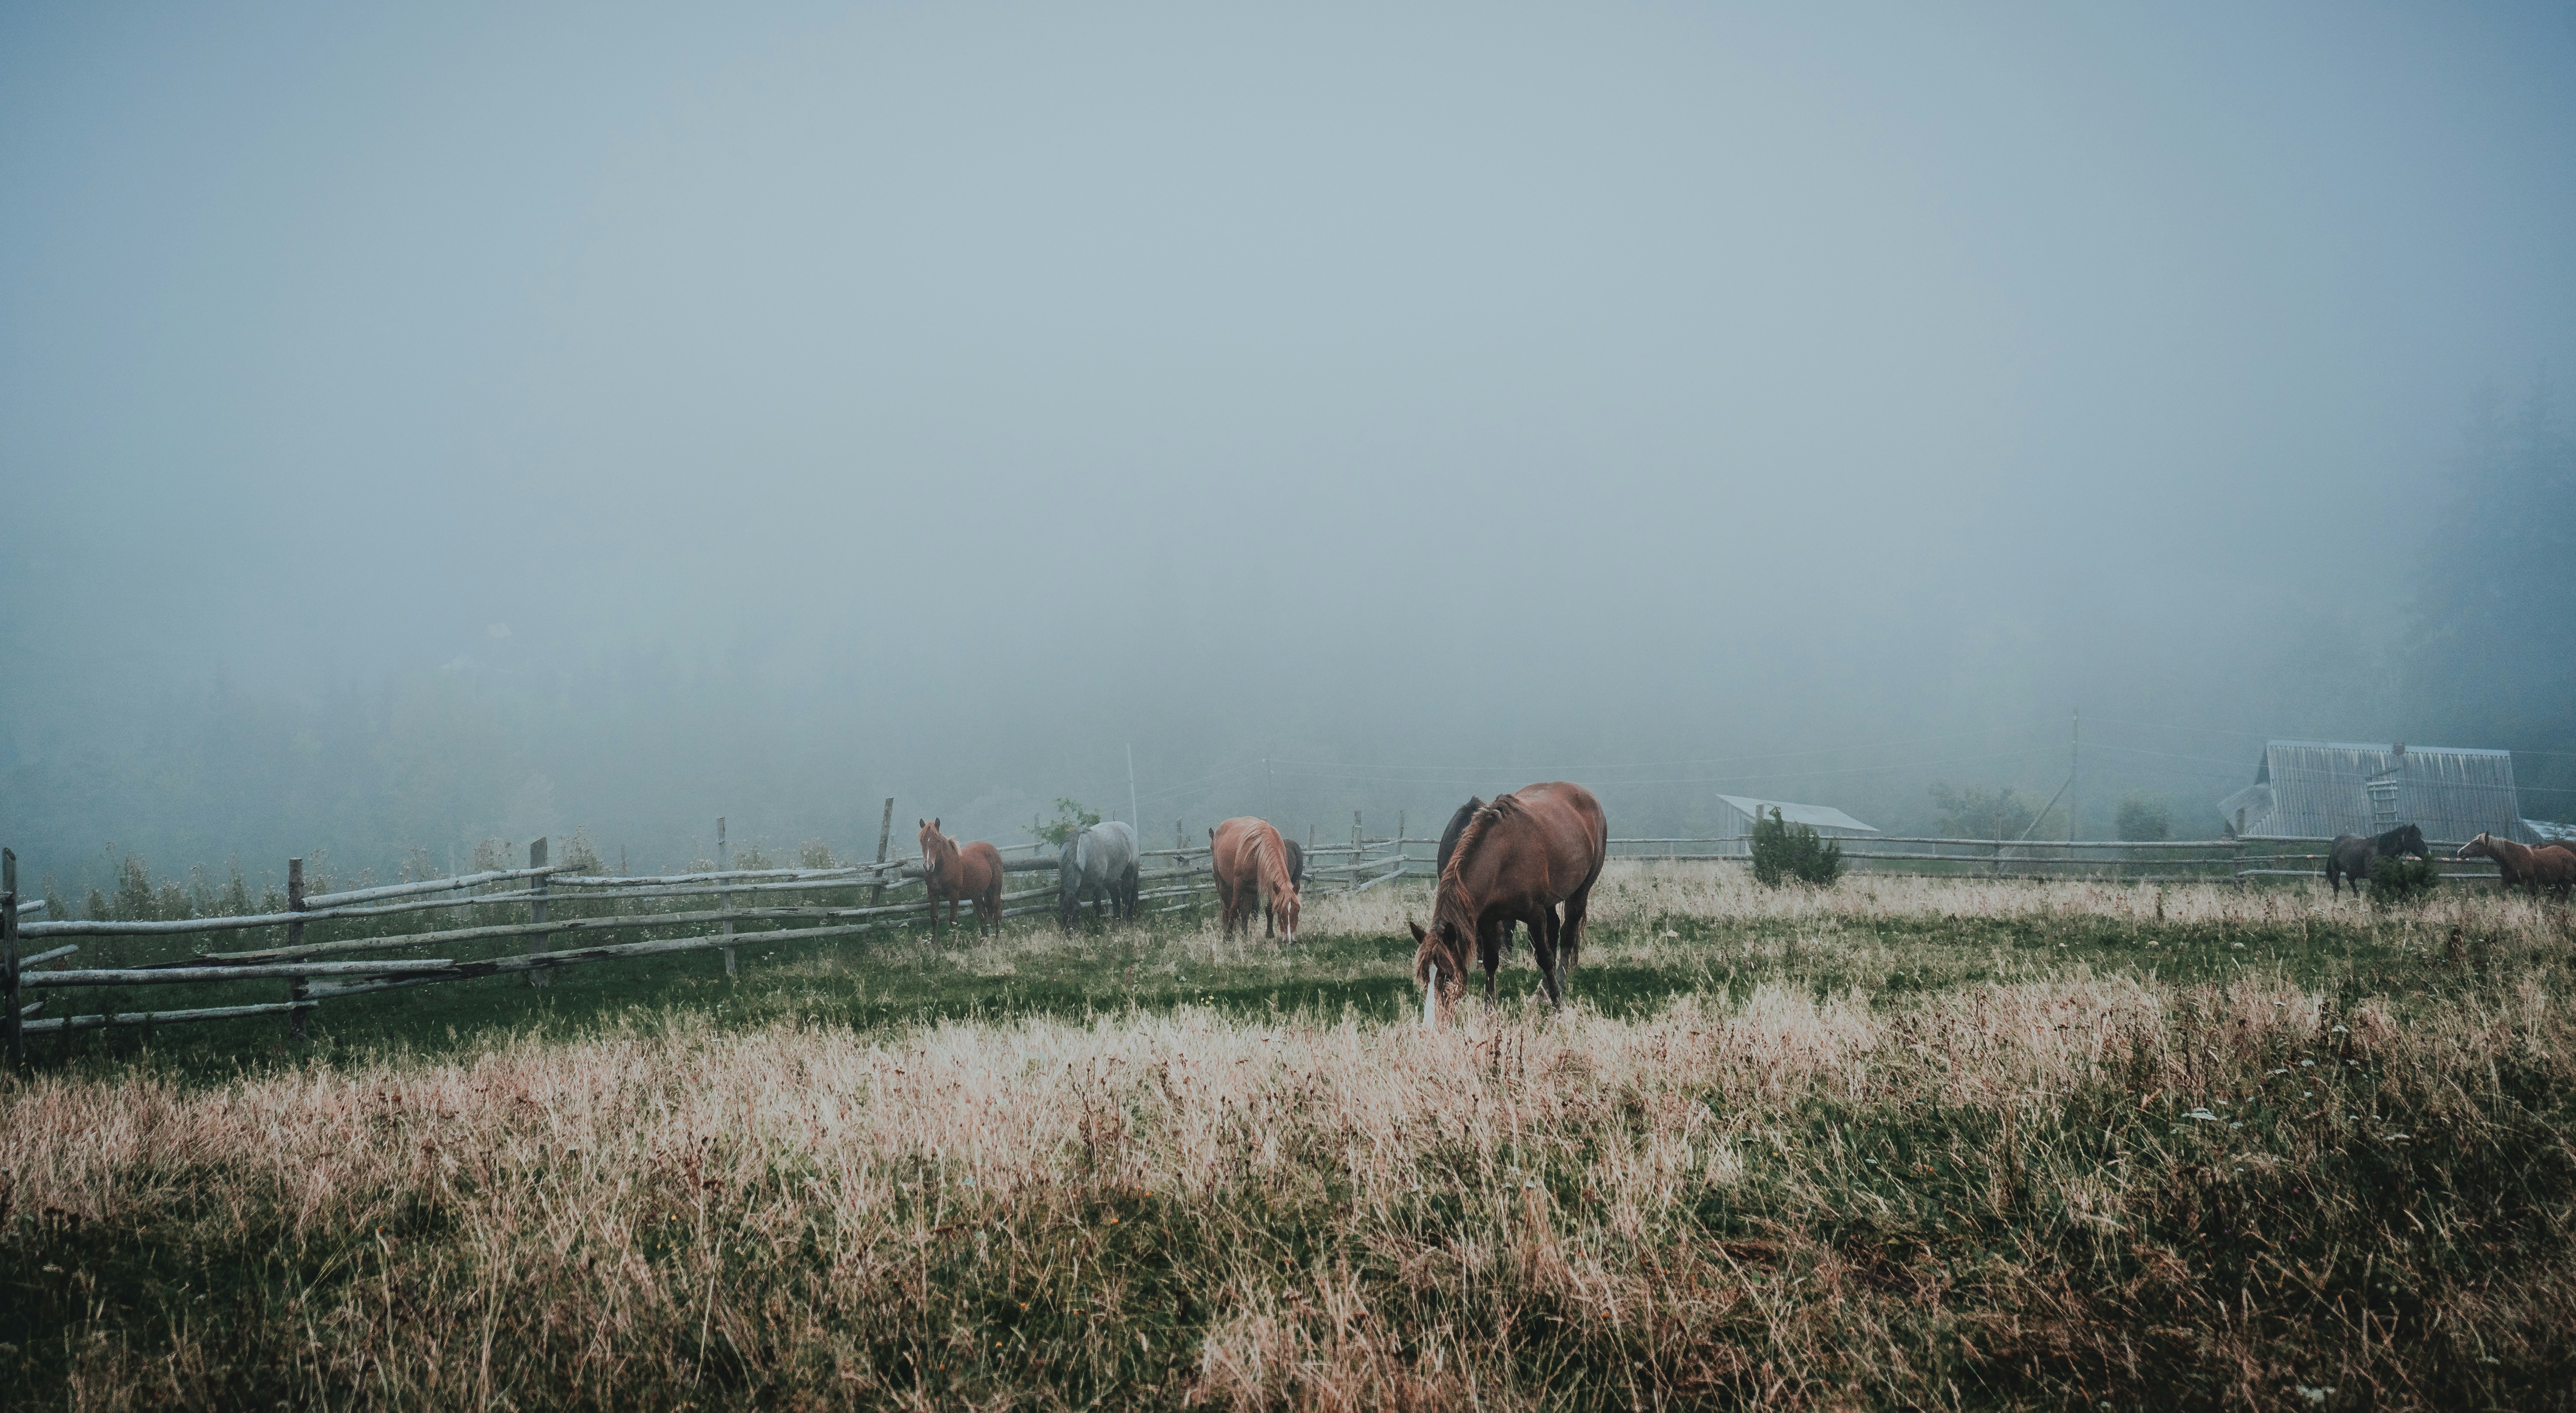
[2327,788]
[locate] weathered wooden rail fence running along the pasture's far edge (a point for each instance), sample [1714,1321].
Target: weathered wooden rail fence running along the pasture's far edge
[895,899]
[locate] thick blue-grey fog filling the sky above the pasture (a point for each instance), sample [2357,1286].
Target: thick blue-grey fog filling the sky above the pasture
[475,424]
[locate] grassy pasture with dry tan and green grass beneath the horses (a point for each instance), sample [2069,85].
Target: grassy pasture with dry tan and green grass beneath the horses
[1902,1144]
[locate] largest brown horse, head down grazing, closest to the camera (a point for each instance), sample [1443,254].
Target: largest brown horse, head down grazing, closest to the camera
[1516,862]
